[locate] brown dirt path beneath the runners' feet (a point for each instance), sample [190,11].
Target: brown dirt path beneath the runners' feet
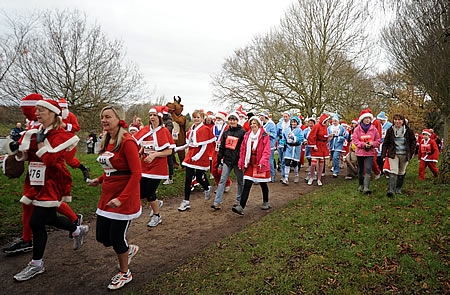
[181,235]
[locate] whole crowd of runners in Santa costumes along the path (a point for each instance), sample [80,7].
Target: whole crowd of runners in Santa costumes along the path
[136,158]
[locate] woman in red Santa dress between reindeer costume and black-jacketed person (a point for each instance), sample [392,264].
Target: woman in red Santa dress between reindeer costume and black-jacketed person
[196,161]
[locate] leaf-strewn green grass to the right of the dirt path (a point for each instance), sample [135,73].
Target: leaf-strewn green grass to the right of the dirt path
[334,240]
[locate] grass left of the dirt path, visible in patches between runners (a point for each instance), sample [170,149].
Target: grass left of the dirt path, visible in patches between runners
[84,197]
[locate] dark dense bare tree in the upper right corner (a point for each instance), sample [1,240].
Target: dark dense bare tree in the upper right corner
[419,43]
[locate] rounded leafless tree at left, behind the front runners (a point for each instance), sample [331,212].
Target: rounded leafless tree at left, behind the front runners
[67,57]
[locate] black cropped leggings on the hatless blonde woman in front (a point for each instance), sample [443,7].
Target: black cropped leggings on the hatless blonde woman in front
[112,232]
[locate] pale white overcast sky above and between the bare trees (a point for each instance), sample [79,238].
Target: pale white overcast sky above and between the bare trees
[177,44]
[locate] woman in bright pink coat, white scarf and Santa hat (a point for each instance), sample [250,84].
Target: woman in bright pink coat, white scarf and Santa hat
[254,161]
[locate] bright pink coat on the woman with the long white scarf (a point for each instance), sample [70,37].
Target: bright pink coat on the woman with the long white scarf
[262,151]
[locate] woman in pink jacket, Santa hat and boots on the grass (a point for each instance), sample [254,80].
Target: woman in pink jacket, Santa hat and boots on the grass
[366,138]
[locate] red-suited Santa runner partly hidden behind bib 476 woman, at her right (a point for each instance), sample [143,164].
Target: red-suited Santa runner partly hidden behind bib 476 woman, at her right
[70,124]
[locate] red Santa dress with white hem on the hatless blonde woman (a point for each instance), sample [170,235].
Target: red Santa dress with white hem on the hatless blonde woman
[126,188]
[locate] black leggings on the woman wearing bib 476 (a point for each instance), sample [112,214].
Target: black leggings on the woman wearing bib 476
[41,217]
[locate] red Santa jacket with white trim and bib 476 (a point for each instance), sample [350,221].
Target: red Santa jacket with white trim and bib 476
[47,177]
